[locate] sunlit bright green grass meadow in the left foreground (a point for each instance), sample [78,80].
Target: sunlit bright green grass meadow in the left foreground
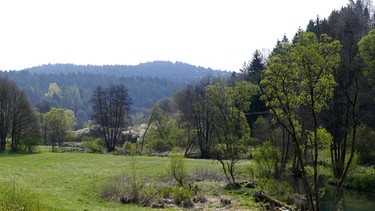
[69,181]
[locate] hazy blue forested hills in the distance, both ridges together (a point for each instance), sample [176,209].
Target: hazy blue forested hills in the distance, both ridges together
[70,86]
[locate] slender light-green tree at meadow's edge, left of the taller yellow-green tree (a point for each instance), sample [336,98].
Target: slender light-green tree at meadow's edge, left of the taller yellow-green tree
[232,132]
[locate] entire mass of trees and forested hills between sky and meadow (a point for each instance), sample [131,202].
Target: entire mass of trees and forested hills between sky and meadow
[303,112]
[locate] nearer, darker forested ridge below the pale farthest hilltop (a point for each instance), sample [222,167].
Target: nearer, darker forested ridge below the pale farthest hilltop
[73,91]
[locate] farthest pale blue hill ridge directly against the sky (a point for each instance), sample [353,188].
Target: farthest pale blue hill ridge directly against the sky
[176,72]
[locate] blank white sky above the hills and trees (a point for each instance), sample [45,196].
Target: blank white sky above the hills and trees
[210,33]
